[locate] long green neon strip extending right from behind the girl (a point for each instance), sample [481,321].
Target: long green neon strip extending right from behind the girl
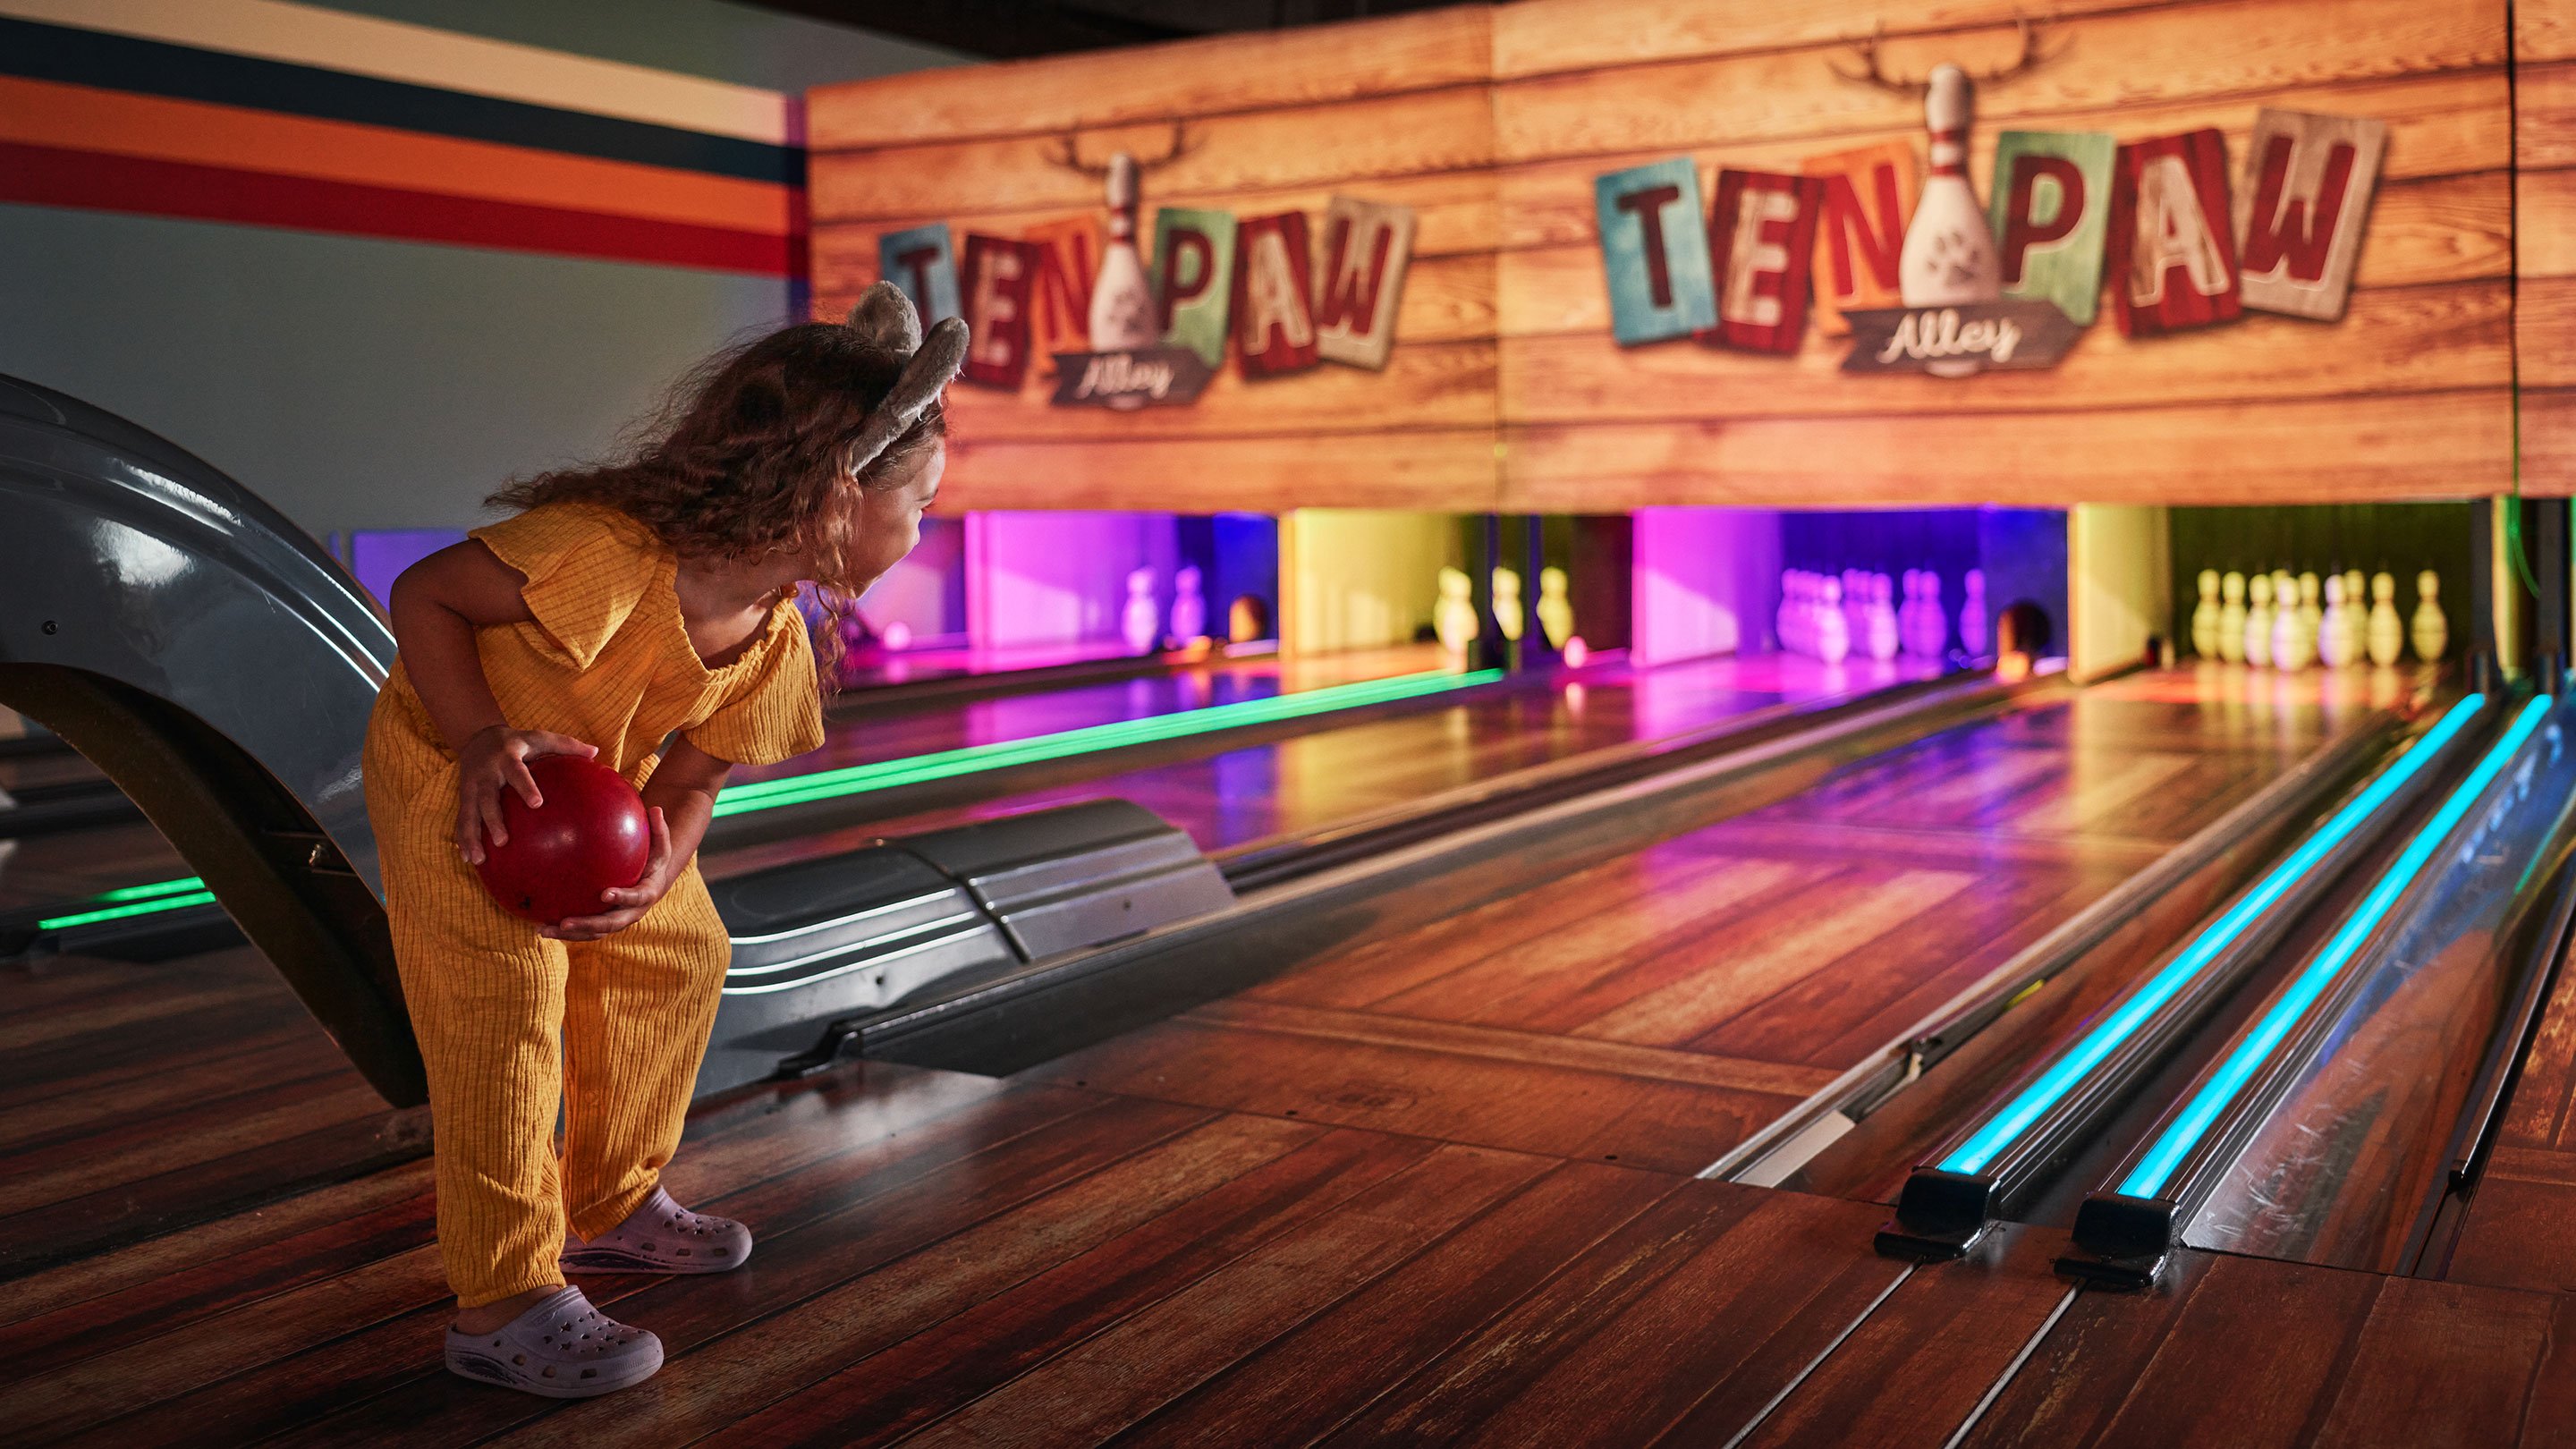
[1091,739]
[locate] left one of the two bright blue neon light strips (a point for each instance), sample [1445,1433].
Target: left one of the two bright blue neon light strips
[2008,1125]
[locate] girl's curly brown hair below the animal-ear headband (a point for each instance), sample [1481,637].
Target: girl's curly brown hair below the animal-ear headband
[748,458]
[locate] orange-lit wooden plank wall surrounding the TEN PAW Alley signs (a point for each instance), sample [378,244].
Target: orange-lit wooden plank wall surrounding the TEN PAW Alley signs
[1493,122]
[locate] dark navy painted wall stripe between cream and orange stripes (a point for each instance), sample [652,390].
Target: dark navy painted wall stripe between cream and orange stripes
[182,73]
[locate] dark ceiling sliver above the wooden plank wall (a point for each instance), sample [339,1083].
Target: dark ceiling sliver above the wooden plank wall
[1009,30]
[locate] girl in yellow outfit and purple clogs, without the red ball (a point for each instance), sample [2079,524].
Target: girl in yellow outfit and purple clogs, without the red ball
[625,605]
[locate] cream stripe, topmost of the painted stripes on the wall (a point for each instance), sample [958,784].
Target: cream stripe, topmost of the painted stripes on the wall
[447,61]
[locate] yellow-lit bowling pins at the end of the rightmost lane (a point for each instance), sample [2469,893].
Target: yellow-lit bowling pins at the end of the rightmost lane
[2289,623]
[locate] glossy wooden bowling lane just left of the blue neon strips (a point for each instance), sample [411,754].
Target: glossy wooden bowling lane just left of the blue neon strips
[1660,1007]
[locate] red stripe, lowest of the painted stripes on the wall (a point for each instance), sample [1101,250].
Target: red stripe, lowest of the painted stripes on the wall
[61,177]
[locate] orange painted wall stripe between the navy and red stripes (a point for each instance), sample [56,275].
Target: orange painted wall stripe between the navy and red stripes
[194,133]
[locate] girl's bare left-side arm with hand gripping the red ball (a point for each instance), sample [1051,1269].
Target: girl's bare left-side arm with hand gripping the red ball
[437,610]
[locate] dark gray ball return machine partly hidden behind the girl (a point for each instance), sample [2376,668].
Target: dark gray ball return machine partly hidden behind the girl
[220,669]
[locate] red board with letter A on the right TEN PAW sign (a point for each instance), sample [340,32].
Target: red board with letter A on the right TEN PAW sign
[2173,254]
